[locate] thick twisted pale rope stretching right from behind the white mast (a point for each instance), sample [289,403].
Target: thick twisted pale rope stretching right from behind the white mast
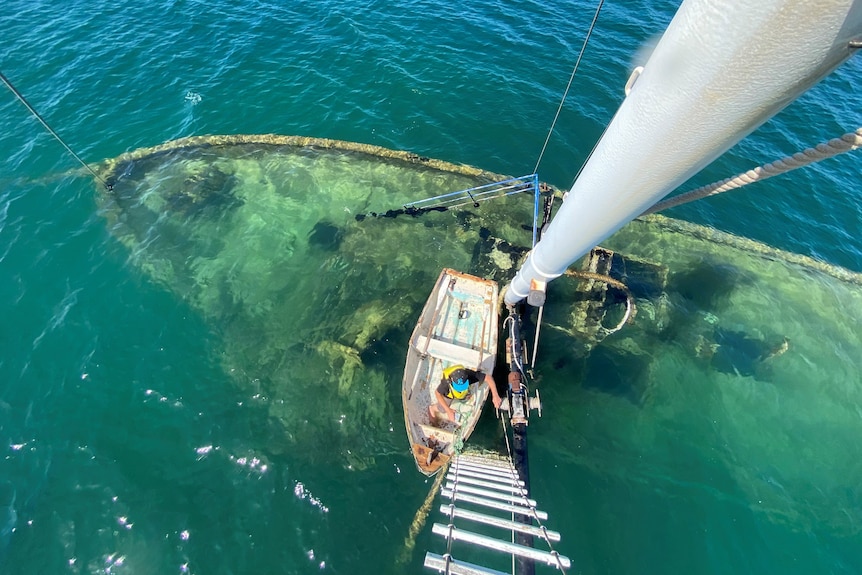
[846,143]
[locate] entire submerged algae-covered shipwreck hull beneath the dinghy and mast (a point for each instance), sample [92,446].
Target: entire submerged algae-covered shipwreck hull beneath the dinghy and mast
[750,350]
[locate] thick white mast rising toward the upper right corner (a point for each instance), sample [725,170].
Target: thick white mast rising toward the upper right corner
[722,68]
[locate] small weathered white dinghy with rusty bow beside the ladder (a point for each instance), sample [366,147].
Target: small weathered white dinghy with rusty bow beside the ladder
[458,327]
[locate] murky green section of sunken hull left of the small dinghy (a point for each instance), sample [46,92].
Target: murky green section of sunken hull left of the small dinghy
[260,235]
